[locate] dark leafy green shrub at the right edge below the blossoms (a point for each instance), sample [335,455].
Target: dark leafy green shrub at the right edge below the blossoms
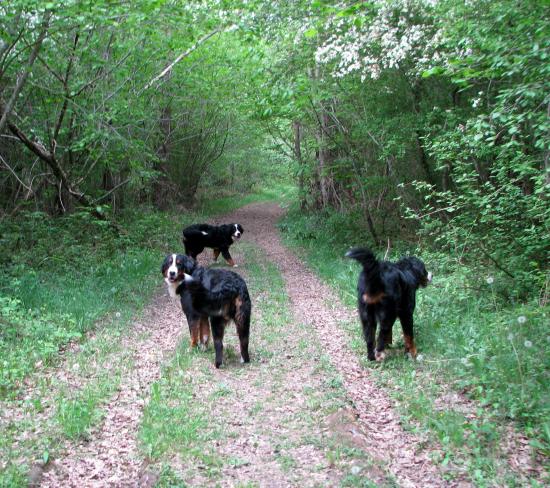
[494,145]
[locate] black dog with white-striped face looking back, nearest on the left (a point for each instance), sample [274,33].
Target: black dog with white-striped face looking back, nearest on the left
[219,294]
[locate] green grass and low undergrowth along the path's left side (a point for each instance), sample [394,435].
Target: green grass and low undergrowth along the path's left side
[65,274]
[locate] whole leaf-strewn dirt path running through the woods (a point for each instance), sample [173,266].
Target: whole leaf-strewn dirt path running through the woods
[277,430]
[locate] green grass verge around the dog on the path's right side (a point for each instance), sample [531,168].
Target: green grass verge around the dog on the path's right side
[471,339]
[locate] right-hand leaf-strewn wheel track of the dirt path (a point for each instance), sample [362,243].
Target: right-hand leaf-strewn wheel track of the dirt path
[379,425]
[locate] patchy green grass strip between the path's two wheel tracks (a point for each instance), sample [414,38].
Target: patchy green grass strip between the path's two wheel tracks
[174,423]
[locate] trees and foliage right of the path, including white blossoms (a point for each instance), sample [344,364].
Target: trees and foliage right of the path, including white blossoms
[433,110]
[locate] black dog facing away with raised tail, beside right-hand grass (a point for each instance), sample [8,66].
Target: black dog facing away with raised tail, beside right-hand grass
[387,291]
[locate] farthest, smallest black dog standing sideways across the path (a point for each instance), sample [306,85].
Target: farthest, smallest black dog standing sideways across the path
[218,237]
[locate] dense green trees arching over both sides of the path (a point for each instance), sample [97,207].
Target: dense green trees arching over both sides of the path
[435,110]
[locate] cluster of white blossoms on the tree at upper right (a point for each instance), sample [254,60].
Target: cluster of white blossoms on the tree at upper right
[401,35]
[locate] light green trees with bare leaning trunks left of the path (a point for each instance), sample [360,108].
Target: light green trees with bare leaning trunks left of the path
[105,106]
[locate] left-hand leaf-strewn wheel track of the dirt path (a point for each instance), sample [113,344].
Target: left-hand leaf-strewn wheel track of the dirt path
[110,457]
